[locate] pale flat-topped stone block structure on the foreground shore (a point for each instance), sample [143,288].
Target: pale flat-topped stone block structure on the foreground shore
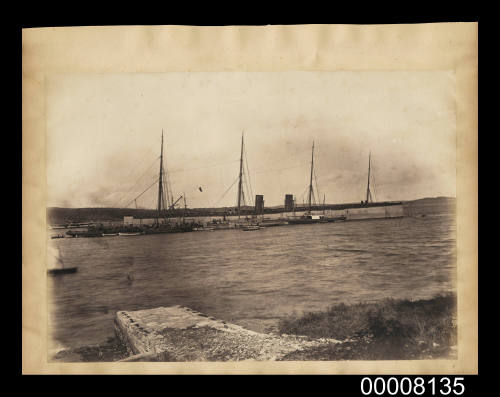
[179,333]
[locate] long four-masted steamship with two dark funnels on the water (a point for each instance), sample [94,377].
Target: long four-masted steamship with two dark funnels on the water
[165,218]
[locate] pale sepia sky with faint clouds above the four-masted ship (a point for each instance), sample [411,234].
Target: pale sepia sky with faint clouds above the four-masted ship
[104,133]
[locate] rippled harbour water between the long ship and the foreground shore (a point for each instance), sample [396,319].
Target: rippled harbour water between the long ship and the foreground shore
[249,278]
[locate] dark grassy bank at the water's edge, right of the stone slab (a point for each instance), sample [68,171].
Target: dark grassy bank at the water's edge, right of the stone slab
[387,330]
